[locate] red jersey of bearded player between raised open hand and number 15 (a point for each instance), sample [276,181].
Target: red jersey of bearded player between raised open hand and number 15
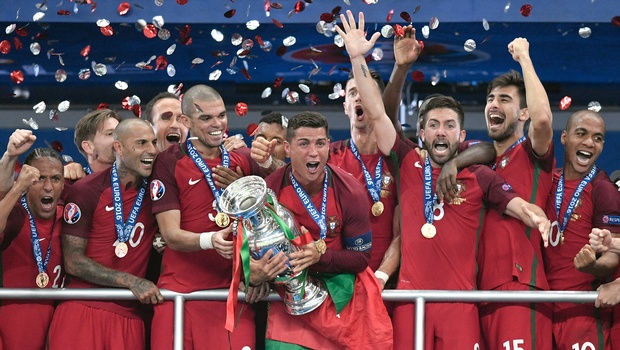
[451,253]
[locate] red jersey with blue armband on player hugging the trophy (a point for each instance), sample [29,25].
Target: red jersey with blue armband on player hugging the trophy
[348,226]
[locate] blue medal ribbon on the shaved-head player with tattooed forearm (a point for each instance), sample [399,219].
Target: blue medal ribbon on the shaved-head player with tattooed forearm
[123,230]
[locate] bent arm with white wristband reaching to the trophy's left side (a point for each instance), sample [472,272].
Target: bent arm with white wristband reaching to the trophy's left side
[186,241]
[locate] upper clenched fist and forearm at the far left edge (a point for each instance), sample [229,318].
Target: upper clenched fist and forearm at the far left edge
[19,142]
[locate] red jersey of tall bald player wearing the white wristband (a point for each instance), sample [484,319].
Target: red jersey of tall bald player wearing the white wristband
[178,184]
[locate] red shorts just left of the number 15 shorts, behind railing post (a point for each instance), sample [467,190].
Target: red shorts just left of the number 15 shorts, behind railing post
[446,326]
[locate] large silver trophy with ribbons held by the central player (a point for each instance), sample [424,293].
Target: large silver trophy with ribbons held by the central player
[246,201]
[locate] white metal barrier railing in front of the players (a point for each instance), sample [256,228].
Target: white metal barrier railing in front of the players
[420,297]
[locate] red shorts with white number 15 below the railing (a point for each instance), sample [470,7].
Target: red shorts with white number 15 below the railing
[524,326]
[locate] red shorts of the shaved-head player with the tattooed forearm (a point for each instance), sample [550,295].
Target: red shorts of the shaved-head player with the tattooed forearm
[79,326]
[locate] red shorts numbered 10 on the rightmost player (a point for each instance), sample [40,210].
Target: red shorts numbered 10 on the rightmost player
[582,327]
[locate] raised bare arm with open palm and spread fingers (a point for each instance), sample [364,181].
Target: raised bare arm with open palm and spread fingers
[357,46]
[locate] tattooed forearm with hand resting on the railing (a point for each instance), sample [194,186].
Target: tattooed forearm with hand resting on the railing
[79,265]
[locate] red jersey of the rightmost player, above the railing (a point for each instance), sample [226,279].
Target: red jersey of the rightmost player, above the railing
[587,214]
